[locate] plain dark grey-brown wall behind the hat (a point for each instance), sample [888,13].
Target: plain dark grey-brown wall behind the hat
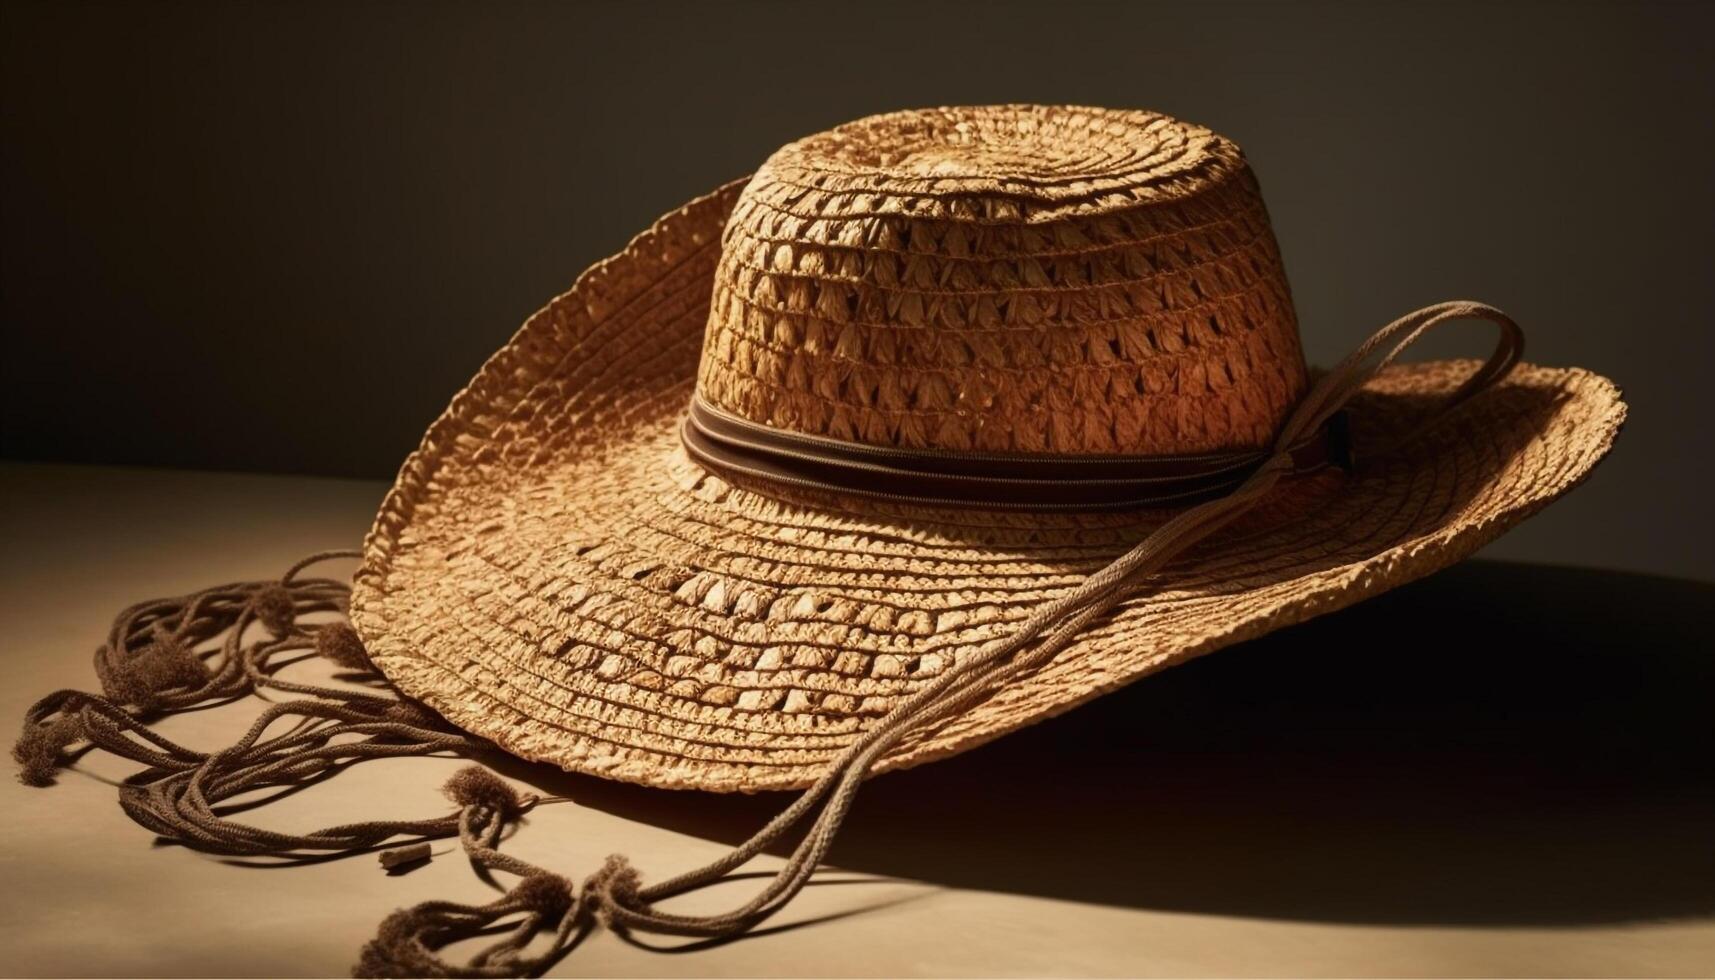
[279,238]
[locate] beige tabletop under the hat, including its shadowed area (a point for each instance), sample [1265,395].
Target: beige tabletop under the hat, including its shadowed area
[1513,782]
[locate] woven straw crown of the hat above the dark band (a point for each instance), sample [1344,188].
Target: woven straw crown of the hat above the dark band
[1009,279]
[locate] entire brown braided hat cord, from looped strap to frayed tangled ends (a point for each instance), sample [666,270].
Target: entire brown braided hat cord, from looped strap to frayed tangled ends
[152,667]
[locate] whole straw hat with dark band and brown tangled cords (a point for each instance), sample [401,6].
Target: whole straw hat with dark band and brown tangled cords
[939,425]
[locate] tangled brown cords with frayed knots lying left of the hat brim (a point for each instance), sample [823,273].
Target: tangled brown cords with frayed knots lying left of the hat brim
[150,668]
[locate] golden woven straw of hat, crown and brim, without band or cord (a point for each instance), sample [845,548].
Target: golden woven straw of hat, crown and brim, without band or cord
[555,574]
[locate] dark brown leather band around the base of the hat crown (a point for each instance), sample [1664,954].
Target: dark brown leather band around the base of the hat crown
[1011,481]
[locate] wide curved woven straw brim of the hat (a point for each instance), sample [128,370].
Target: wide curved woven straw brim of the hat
[553,574]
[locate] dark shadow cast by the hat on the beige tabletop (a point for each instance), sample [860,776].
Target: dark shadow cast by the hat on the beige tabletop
[1496,746]
